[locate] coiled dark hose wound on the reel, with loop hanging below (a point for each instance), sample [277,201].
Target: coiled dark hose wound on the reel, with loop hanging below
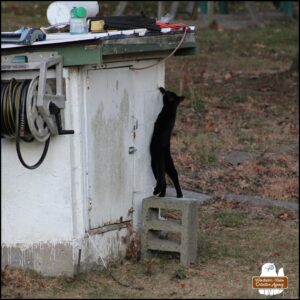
[13,117]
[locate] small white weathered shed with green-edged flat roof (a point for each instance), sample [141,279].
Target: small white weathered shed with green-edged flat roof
[76,206]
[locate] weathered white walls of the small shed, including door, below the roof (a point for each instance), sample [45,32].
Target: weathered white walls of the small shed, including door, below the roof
[46,212]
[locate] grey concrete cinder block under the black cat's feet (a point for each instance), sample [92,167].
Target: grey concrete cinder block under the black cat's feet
[186,227]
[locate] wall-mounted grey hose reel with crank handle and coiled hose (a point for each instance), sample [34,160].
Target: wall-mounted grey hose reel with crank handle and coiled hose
[29,108]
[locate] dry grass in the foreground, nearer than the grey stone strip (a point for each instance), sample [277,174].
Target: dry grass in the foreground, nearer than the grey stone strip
[235,239]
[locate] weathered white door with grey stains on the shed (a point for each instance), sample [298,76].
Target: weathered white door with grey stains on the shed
[110,121]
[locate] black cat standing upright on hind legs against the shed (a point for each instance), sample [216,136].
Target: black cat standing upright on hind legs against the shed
[161,160]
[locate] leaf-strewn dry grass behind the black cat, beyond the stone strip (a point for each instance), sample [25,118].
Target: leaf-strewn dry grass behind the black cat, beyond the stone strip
[239,97]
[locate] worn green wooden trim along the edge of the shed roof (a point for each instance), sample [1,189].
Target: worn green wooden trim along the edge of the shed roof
[93,51]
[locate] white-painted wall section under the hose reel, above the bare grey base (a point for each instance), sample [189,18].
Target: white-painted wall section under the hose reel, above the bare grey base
[36,204]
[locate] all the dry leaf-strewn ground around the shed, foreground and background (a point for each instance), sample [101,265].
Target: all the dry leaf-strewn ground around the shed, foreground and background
[240,96]
